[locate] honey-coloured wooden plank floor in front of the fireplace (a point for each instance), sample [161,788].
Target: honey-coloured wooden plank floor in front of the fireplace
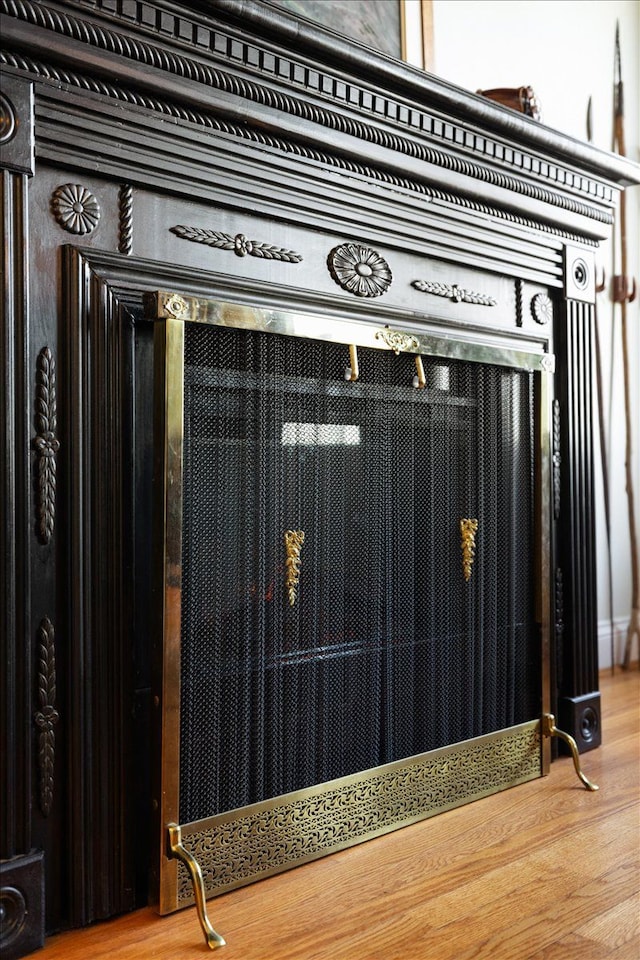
[545,871]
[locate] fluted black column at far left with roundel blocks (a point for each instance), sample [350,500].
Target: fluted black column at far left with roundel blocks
[21,869]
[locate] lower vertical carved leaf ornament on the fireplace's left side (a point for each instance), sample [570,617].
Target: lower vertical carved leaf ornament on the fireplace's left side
[47,716]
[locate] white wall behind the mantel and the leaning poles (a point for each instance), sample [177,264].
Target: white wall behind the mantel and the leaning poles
[564,49]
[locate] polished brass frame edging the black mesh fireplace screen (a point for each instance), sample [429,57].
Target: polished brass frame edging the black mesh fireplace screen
[171,311]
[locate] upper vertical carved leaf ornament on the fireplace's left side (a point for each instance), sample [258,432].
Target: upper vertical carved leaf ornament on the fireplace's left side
[46,444]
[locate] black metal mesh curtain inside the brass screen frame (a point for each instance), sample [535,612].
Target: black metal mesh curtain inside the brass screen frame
[388,651]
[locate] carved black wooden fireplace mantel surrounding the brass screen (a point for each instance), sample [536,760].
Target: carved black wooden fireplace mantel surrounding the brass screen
[231,152]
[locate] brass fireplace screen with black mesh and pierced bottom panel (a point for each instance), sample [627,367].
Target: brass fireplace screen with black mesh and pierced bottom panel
[353,574]
